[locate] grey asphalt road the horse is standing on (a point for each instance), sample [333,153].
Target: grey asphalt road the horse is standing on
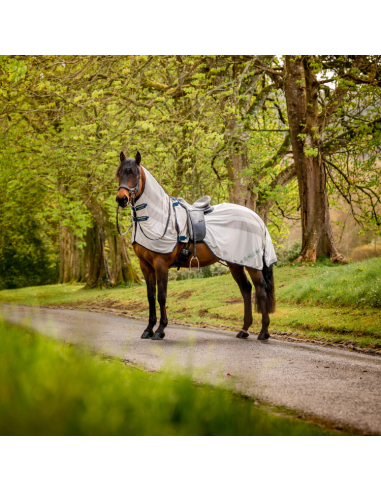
[342,387]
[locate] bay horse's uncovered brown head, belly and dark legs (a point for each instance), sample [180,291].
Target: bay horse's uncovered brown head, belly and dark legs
[155,266]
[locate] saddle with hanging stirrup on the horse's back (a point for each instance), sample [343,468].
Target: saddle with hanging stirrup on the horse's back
[196,227]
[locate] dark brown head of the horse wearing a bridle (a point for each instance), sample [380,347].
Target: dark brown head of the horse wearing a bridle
[129,175]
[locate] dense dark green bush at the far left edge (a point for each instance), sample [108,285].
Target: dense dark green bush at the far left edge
[28,253]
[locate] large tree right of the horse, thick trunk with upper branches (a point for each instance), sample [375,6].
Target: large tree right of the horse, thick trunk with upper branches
[316,113]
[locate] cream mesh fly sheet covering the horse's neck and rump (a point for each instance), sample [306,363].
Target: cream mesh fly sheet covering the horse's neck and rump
[234,234]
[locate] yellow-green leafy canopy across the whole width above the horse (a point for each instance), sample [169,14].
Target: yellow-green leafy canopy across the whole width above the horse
[65,118]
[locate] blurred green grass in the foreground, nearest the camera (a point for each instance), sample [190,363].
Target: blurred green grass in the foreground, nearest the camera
[49,388]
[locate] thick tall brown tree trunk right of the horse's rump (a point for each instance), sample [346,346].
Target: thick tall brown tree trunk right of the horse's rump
[301,89]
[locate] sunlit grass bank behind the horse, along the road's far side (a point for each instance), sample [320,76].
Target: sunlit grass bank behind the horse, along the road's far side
[339,302]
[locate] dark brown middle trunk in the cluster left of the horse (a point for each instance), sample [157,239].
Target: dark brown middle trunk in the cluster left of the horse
[98,272]
